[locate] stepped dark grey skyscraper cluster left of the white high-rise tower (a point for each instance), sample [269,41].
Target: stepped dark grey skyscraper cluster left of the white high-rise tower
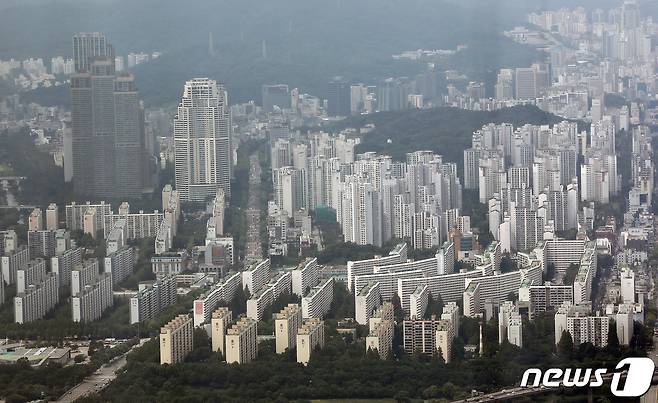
[107,124]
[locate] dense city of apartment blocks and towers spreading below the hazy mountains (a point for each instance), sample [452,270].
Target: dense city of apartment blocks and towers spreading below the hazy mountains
[422,237]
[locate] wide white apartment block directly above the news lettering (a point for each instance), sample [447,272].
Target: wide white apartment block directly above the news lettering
[581,325]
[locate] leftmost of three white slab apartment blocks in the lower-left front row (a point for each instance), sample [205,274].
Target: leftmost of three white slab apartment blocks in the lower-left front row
[37,300]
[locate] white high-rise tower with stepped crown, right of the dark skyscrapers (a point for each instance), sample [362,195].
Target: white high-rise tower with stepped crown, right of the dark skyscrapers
[202,136]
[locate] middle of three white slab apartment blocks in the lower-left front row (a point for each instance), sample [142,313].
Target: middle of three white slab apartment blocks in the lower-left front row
[89,304]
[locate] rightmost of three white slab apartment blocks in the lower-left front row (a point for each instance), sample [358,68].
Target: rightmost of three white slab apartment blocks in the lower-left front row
[152,298]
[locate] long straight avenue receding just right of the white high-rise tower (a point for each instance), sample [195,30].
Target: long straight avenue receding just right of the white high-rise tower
[253,249]
